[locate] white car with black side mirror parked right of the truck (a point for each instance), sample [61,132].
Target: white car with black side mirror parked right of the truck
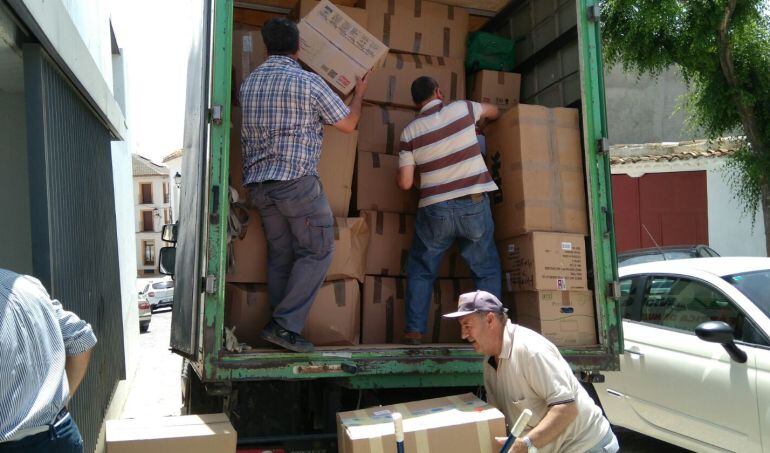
[682,378]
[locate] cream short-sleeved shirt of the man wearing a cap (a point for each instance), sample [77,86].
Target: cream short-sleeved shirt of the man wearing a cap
[532,374]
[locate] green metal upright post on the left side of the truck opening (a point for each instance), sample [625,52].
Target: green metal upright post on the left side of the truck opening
[218,192]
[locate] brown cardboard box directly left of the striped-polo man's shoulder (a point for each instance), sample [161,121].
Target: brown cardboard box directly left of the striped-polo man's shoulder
[380,127]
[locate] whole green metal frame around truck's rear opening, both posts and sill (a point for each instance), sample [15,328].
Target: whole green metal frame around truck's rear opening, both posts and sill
[407,367]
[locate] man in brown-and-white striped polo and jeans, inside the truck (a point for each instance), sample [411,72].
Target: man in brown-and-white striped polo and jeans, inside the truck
[441,145]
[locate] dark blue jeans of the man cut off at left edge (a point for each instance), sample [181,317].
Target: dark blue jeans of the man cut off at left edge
[61,438]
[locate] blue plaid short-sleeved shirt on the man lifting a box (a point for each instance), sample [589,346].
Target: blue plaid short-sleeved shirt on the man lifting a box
[284,109]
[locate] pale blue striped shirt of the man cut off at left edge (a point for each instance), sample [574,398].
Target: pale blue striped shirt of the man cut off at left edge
[36,334]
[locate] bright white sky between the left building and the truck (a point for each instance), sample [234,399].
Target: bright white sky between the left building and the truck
[155,37]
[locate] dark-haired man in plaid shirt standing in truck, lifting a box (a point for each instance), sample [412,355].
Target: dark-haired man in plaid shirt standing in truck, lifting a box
[284,110]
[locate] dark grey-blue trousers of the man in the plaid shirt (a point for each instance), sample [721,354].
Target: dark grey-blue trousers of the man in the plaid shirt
[298,225]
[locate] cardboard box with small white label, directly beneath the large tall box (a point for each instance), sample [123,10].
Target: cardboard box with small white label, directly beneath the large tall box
[544,261]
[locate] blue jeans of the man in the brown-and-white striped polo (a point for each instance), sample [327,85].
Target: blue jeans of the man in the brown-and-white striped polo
[436,228]
